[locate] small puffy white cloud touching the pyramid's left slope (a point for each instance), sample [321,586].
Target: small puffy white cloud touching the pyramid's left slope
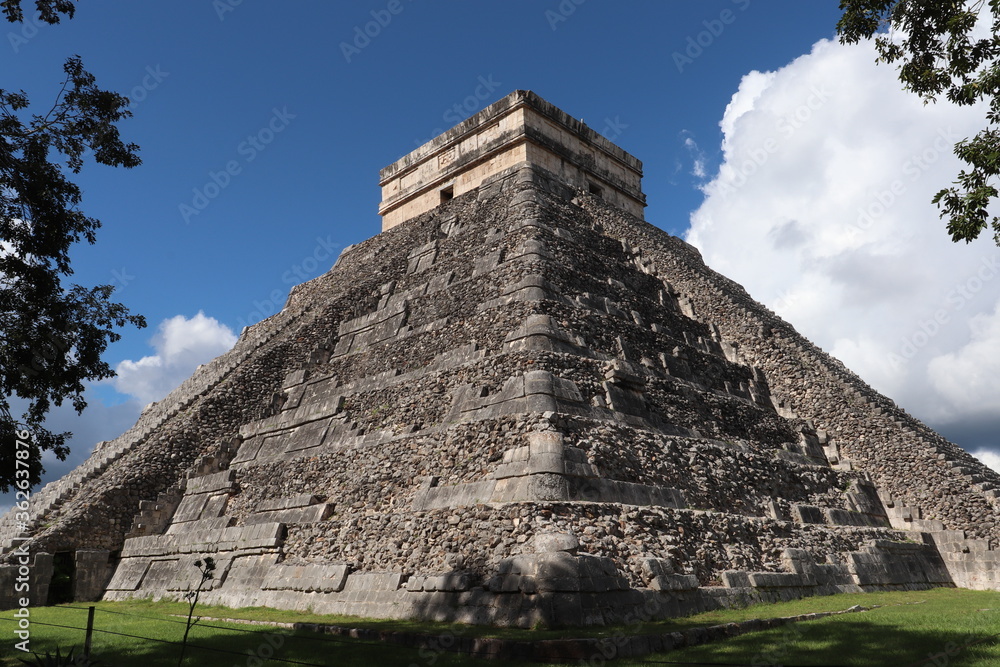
[181,345]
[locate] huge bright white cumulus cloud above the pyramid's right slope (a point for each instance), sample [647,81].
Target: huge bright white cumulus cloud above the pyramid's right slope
[821,209]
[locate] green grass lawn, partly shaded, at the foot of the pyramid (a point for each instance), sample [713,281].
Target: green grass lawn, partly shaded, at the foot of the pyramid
[939,627]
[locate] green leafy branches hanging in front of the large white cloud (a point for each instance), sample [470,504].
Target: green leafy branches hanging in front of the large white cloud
[940,54]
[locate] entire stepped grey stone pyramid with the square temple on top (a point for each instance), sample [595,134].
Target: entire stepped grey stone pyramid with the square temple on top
[521,404]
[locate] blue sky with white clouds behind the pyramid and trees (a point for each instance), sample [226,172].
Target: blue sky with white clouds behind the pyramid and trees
[263,127]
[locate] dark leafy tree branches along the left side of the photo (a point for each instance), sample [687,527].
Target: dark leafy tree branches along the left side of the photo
[51,336]
